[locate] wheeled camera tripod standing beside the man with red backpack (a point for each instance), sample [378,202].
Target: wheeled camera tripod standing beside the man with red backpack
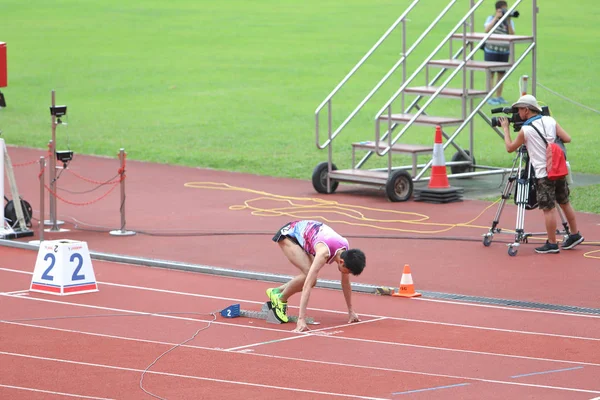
[522,175]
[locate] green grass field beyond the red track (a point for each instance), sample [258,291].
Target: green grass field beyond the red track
[234,85]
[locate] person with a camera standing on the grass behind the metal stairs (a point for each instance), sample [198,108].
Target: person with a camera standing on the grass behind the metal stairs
[497,52]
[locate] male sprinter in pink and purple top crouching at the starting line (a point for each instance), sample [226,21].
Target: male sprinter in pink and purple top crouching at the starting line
[309,245]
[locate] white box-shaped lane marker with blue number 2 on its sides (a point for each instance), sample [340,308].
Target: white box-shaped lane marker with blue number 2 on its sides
[63,267]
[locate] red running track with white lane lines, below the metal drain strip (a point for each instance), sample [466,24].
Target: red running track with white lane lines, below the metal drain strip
[98,345]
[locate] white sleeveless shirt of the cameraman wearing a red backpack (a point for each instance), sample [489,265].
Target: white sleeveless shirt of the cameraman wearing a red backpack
[536,148]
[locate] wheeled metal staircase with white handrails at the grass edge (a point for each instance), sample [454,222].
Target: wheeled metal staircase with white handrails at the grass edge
[394,120]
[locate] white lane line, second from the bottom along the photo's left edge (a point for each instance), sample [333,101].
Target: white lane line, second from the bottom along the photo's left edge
[240,383]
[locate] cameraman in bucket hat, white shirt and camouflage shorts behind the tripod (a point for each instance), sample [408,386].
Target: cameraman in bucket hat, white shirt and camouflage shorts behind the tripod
[549,192]
